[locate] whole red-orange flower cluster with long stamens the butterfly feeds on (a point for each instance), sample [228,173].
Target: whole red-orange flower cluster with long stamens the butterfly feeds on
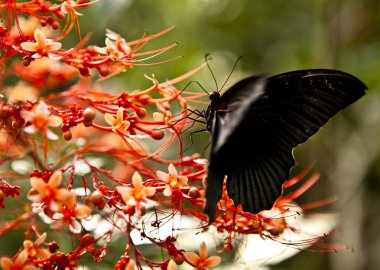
[106,171]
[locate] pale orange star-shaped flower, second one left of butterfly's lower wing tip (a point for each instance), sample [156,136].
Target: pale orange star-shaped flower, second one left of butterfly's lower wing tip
[137,194]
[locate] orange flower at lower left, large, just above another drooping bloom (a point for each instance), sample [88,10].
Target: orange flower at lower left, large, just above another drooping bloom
[49,193]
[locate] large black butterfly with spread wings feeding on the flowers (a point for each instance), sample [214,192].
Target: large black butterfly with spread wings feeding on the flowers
[255,125]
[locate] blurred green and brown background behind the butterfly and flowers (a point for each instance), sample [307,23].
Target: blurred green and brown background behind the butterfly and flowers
[278,36]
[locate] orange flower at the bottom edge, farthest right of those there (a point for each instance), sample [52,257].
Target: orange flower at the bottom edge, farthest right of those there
[202,262]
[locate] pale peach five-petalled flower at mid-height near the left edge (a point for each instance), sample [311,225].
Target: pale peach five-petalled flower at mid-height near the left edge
[40,120]
